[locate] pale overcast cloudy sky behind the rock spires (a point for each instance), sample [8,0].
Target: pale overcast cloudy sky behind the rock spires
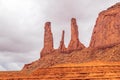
[22,26]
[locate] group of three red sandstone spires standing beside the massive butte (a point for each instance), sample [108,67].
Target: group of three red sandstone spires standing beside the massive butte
[74,44]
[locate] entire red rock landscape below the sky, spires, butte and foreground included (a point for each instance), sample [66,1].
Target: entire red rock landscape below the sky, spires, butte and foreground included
[87,64]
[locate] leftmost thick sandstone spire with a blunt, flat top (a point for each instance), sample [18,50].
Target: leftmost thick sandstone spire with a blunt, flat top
[48,40]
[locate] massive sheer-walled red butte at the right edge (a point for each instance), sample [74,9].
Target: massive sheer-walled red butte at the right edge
[106,32]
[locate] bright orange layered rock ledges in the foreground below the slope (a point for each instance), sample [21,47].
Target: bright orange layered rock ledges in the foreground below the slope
[94,70]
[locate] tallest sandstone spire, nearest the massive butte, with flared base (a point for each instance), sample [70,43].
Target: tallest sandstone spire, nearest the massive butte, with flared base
[74,44]
